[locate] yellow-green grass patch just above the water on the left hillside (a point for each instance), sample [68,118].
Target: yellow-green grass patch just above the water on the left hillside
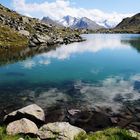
[11,38]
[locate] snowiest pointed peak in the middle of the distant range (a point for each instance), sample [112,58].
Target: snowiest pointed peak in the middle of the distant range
[68,21]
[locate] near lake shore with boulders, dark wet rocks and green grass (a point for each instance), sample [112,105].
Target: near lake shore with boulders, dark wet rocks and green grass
[27,120]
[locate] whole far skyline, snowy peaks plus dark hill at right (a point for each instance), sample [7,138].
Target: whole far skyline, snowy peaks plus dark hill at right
[130,24]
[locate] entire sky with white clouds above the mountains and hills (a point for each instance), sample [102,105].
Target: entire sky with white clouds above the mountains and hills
[112,11]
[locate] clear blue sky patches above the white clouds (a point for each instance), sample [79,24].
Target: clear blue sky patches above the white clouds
[123,6]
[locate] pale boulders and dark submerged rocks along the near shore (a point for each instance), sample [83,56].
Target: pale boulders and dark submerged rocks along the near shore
[33,121]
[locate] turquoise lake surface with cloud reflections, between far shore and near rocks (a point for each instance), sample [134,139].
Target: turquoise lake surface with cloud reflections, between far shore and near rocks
[102,71]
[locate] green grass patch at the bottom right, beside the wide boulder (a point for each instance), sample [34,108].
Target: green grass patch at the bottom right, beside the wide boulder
[108,134]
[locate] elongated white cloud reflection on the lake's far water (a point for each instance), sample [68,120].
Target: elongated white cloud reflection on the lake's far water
[94,44]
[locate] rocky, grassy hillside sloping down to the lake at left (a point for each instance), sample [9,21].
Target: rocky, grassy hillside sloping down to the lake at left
[32,31]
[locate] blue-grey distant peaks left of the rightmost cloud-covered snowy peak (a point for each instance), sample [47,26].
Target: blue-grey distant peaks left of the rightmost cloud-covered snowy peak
[75,23]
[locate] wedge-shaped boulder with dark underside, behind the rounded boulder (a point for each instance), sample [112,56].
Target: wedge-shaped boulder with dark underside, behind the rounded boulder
[32,112]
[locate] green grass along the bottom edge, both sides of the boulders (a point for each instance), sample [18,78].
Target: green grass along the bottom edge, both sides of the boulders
[107,134]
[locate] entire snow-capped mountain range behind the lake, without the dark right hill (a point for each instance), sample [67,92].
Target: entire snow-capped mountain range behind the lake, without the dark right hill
[80,23]
